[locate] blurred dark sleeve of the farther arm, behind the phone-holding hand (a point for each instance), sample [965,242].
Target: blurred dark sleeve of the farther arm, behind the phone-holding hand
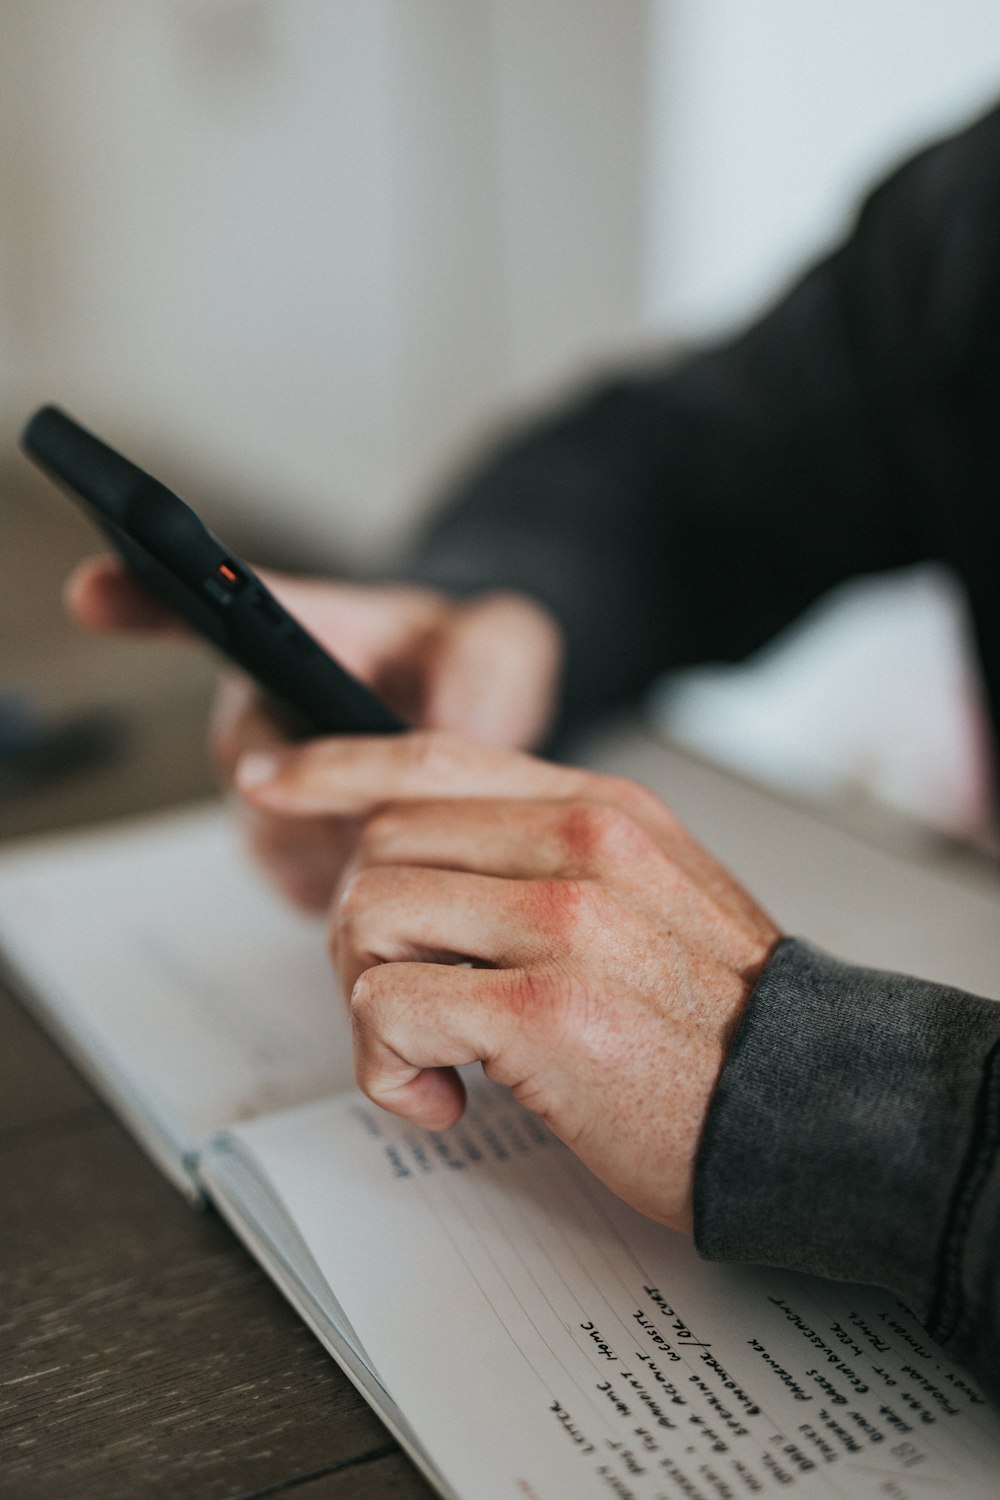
[687,514]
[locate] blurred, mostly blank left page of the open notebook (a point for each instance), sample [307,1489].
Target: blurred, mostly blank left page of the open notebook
[169,967]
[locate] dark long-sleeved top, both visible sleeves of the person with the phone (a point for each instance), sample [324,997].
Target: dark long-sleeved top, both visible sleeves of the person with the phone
[687,514]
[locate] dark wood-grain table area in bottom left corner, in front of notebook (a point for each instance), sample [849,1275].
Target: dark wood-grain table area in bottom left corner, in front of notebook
[142,1351]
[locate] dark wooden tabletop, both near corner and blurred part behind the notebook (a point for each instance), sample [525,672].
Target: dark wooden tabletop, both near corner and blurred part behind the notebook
[143,1354]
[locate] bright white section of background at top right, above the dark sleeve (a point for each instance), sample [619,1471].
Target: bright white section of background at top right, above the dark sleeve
[770,118]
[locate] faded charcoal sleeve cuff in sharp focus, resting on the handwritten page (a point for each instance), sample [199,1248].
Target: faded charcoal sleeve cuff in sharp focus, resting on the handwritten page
[855,1135]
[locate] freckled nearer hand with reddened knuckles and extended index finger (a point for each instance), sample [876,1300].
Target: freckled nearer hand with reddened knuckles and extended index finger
[611,956]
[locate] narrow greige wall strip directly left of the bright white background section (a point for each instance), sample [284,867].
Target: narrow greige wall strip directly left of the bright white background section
[573,82]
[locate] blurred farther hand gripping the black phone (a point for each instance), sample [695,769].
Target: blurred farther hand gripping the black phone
[488,667]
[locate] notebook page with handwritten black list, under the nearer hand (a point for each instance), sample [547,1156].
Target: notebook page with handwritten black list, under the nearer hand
[546,1342]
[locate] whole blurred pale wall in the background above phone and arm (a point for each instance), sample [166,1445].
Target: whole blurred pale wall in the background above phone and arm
[310,248]
